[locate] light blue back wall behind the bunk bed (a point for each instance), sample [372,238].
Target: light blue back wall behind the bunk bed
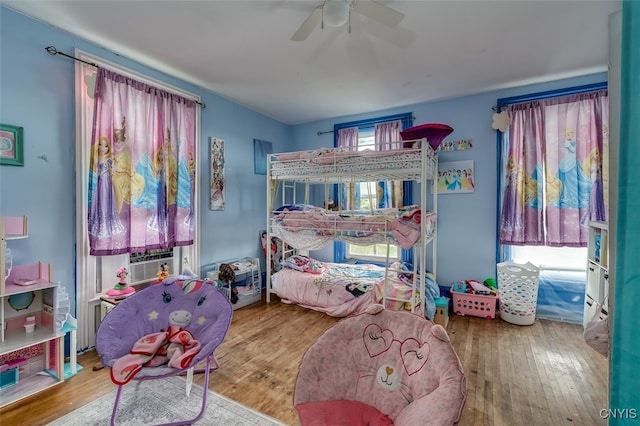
[466,222]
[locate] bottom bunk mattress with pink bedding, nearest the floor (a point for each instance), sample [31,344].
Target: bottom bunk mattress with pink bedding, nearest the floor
[340,289]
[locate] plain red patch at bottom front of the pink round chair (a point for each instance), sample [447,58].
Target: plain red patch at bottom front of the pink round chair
[340,413]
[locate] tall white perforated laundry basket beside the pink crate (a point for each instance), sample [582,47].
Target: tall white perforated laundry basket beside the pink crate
[518,285]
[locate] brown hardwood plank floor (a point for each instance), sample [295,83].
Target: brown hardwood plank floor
[542,374]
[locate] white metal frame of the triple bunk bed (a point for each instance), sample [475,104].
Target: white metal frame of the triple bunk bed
[426,174]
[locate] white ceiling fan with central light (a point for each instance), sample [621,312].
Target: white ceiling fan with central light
[336,13]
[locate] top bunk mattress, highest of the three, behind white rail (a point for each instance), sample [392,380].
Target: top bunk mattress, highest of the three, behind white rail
[337,161]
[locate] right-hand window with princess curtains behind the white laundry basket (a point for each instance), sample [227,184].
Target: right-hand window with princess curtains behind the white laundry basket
[554,172]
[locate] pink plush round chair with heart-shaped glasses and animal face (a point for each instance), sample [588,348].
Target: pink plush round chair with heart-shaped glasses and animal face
[381,368]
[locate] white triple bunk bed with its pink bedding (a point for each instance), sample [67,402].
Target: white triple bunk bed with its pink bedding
[344,289]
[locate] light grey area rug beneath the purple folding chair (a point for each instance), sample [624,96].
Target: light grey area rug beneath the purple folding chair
[163,401]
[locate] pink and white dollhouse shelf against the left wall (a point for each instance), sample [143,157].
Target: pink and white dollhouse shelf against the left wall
[30,361]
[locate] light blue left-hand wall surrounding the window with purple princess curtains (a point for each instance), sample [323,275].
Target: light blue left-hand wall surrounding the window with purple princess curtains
[37,93]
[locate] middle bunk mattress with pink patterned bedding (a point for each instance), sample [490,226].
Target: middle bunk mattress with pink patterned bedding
[312,229]
